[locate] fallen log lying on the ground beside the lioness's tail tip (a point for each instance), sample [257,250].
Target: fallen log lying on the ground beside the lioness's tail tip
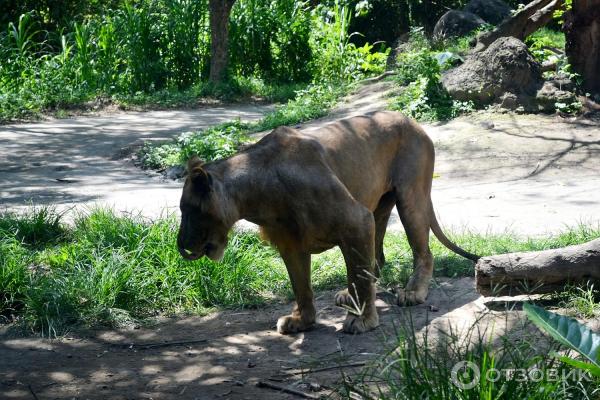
[539,272]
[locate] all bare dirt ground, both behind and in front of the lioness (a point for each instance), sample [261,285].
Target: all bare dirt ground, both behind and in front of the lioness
[495,172]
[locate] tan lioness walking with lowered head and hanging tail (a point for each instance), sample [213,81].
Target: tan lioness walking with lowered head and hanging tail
[311,191]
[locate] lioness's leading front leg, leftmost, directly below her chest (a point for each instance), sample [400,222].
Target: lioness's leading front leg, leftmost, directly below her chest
[303,315]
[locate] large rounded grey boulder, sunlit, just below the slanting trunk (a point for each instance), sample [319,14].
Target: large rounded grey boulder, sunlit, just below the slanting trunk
[505,72]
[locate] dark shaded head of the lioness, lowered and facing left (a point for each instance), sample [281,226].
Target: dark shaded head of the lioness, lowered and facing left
[204,226]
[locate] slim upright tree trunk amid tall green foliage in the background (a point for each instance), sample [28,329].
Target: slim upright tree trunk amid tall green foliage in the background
[219,38]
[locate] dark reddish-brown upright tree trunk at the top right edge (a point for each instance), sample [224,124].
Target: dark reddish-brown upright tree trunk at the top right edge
[582,28]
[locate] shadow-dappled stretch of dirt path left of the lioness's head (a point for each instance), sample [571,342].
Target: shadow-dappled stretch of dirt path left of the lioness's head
[85,160]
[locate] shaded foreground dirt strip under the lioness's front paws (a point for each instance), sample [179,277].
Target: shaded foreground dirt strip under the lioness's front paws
[234,350]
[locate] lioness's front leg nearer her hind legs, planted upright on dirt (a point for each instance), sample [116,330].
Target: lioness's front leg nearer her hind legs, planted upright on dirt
[358,248]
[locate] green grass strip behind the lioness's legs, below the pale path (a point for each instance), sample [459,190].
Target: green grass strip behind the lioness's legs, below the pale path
[104,268]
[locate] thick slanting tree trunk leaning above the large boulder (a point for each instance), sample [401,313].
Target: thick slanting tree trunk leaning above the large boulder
[535,15]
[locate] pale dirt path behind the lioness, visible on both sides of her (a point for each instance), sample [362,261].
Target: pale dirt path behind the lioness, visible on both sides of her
[532,174]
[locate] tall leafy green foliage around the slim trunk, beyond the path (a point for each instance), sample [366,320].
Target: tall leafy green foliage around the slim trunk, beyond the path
[158,51]
